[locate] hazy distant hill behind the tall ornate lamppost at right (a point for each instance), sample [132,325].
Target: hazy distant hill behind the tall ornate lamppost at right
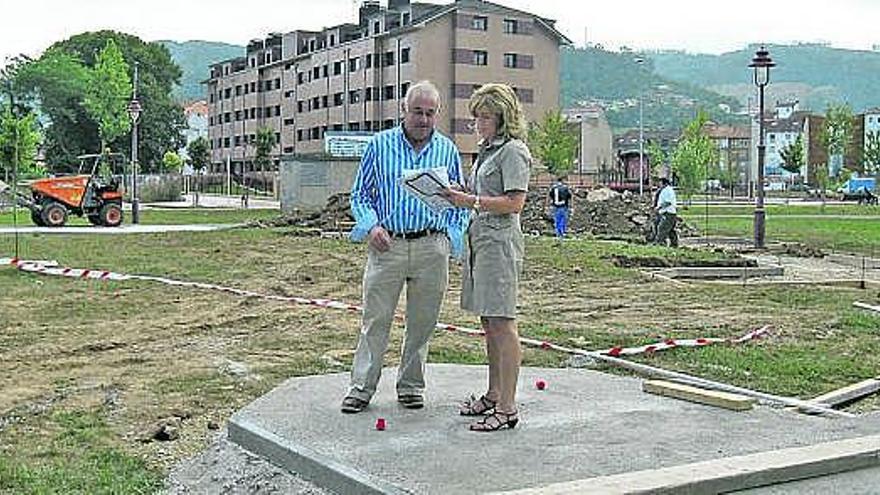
[814,74]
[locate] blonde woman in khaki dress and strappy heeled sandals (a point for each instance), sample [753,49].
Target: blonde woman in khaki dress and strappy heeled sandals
[494,247]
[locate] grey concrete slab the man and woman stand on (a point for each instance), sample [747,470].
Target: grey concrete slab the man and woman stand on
[585,424]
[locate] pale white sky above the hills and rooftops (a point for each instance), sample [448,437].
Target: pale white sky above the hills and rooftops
[696,26]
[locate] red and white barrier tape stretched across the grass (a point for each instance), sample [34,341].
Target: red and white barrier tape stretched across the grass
[52,268]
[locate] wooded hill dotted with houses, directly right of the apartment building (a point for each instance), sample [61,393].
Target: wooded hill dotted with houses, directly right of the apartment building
[615,81]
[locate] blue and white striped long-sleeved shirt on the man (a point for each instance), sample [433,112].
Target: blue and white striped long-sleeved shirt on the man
[378,198]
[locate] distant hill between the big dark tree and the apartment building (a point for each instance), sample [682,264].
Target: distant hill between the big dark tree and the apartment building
[194,57]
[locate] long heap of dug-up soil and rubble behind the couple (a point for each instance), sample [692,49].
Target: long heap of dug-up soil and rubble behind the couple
[599,212]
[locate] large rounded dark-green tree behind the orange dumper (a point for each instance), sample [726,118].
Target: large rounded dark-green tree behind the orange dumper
[58,83]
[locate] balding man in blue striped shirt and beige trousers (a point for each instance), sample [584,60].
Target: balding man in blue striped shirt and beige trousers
[408,245]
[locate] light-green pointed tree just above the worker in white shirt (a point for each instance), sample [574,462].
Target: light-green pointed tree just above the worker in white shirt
[693,155]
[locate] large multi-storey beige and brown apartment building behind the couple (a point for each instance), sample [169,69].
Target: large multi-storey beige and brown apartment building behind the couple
[351,77]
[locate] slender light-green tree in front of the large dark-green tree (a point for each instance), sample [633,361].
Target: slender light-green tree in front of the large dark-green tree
[108,93]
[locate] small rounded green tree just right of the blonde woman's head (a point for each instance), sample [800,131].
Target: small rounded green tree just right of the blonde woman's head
[554,143]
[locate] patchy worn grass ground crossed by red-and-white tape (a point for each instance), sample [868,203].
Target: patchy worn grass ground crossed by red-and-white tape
[86,367]
